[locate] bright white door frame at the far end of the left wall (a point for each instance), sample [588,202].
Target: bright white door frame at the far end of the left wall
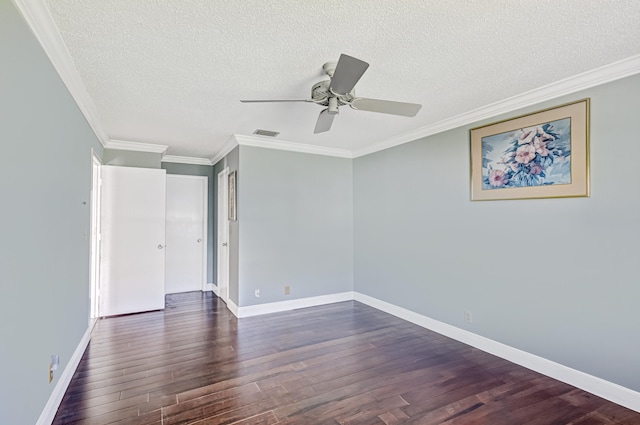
[95,238]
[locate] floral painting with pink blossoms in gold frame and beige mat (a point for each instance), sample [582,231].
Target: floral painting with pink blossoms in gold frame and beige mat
[541,155]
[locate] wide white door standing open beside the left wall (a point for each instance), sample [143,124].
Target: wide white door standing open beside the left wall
[133,240]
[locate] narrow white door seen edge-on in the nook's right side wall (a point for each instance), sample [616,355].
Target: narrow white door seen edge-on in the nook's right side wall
[222,244]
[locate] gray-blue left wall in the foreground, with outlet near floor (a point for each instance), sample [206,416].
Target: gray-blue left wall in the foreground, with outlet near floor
[45,176]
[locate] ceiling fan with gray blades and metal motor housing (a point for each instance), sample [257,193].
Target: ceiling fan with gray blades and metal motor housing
[338,91]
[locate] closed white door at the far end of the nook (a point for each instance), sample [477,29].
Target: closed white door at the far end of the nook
[186,233]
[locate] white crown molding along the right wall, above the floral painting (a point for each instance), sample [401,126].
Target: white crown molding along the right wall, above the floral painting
[605,74]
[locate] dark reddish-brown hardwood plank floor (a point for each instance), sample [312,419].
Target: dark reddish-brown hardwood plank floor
[346,363]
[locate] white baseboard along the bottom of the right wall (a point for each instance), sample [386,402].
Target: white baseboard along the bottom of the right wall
[598,386]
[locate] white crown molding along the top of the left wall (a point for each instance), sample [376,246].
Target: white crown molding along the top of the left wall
[38,18]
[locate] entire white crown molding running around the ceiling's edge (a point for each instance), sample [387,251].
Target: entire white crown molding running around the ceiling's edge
[44,28]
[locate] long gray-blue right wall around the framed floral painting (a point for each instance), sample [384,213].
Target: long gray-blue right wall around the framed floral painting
[554,277]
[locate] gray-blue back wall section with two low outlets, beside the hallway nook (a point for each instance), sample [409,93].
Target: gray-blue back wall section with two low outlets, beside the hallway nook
[296,216]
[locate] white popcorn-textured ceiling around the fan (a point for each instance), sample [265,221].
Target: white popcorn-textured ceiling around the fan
[172,71]
